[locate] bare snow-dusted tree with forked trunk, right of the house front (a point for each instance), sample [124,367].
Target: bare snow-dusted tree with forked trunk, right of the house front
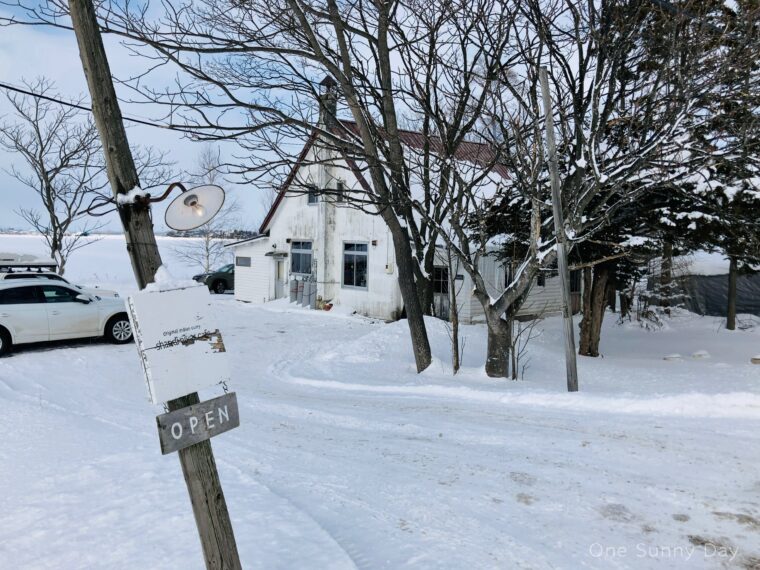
[621,133]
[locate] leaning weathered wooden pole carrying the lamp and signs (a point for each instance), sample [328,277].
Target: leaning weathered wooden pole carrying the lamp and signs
[198,465]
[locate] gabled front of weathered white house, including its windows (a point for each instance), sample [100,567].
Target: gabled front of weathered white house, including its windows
[340,254]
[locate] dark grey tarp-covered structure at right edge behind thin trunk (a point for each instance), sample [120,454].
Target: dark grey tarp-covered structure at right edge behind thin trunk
[708,294]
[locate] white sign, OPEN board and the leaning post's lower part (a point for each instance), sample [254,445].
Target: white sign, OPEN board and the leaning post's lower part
[182,351]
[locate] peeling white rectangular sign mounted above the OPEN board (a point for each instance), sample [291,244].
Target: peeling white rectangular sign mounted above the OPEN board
[179,341]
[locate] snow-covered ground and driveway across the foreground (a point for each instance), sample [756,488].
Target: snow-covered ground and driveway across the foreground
[345,458]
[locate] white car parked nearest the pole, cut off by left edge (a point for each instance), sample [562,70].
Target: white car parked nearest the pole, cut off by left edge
[35,310]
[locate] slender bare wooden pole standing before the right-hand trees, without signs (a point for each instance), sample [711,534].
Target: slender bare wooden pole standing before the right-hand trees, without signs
[564,272]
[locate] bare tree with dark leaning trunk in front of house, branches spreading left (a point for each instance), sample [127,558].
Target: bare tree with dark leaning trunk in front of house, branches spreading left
[249,72]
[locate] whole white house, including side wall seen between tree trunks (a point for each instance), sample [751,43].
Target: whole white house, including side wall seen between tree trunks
[315,249]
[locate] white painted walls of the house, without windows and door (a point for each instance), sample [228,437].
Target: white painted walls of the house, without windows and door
[329,225]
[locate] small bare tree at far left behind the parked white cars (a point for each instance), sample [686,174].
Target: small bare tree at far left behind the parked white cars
[60,153]
